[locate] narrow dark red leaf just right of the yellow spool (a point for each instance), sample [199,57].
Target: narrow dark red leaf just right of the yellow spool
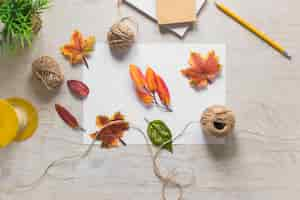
[67,117]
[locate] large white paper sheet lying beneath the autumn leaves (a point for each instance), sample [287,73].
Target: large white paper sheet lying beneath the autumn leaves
[112,89]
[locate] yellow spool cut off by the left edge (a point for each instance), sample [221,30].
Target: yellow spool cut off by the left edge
[18,120]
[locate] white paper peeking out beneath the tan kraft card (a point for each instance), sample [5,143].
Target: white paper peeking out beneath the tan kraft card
[148,7]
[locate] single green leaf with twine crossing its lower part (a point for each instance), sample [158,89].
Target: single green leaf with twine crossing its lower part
[159,133]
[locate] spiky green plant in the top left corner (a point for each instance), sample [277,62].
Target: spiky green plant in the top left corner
[21,20]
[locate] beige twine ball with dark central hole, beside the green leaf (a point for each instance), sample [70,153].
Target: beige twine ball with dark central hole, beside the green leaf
[218,121]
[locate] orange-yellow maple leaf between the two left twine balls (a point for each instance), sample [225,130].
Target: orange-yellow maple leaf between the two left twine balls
[79,48]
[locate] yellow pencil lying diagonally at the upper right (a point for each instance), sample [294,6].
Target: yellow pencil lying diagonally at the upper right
[253,29]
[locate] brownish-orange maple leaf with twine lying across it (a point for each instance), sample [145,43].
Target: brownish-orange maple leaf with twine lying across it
[111,130]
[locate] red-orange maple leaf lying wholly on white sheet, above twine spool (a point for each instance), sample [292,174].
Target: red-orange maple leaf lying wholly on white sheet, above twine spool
[202,70]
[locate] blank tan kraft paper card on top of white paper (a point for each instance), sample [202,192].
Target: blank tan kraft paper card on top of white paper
[175,11]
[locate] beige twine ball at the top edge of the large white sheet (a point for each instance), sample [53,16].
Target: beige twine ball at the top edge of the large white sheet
[121,35]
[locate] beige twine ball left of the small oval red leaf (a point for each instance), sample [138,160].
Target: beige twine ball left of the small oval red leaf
[48,71]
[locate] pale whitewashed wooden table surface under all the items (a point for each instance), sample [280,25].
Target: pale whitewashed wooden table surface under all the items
[262,89]
